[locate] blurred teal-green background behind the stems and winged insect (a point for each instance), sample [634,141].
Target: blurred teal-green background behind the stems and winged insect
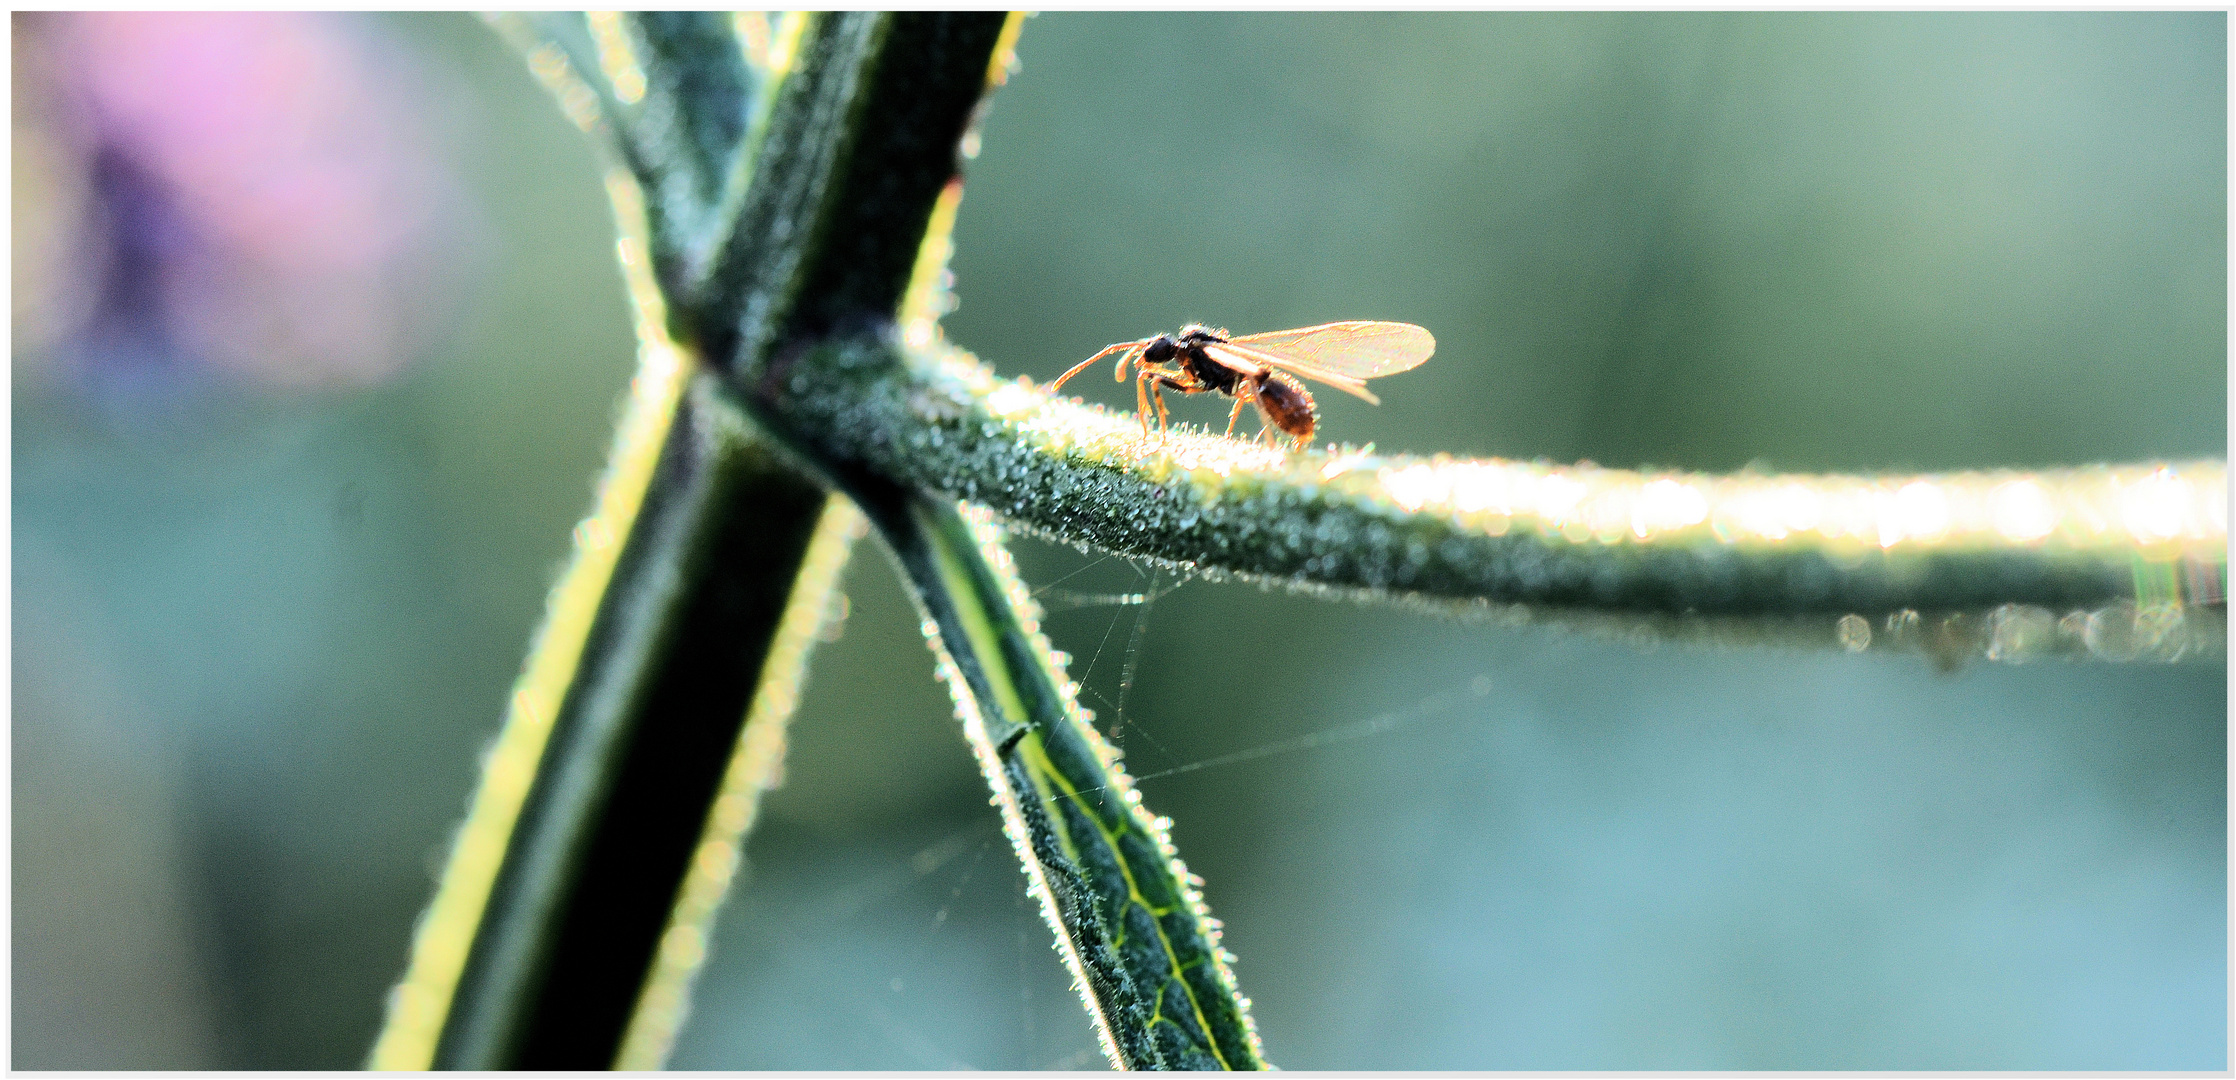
[316,348]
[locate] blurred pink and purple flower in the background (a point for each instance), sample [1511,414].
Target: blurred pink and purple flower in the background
[269,205]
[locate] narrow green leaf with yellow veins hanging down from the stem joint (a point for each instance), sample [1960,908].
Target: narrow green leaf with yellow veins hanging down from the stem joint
[1130,918]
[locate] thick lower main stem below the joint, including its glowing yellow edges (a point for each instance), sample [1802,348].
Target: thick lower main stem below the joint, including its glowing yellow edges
[623,755]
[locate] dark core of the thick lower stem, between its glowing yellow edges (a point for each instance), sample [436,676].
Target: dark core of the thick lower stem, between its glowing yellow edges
[636,755]
